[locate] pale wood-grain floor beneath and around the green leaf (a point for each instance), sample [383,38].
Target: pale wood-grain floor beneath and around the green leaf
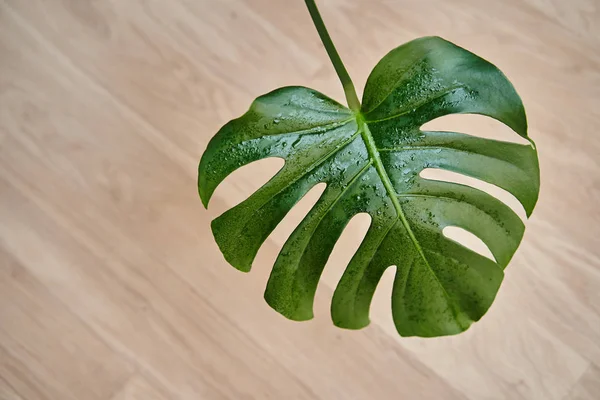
[111,286]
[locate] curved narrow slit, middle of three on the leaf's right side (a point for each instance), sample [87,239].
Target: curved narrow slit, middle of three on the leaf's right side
[493,190]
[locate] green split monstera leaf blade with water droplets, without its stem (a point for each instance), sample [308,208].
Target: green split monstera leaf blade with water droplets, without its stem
[370,161]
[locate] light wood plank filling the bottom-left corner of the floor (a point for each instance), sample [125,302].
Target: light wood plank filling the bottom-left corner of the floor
[44,343]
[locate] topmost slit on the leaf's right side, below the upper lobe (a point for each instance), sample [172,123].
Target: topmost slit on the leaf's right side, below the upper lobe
[475,125]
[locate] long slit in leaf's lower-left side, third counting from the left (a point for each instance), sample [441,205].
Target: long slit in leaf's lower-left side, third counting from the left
[343,251]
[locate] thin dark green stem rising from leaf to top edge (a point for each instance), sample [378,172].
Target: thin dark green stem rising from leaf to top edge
[340,69]
